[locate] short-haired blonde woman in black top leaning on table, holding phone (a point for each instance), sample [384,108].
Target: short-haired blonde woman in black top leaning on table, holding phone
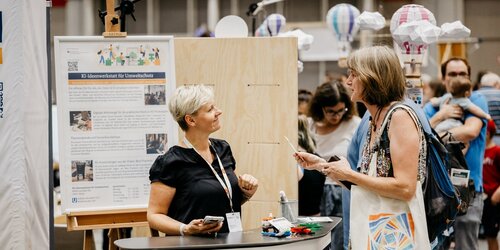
[197,177]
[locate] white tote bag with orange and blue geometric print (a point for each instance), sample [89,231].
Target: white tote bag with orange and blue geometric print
[379,222]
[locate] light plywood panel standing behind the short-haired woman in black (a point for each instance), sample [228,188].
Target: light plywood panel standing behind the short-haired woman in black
[255,83]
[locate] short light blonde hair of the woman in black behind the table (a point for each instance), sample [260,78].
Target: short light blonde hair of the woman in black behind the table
[187,100]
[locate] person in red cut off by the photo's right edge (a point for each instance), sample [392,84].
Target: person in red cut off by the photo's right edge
[491,183]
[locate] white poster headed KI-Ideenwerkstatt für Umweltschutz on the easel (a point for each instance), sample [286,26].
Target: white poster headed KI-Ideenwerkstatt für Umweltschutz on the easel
[113,118]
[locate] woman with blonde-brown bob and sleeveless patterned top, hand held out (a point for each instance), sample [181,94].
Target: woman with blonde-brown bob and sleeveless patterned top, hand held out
[376,79]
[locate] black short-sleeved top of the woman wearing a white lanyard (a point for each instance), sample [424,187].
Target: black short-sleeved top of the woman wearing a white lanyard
[198,192]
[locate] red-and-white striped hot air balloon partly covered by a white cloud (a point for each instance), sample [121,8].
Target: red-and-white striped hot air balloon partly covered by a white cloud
[405,15]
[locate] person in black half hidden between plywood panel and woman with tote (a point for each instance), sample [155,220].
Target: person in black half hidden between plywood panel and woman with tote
[310,182]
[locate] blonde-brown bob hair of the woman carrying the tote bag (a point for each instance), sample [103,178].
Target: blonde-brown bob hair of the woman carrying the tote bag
[380,72]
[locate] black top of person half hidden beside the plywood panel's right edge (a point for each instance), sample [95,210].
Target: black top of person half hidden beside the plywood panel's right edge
[310,192]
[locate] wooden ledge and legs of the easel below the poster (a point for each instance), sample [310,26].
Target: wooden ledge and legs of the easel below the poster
[112,219]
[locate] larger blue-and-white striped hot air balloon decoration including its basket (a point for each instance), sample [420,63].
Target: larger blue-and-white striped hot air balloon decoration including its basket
[341,19]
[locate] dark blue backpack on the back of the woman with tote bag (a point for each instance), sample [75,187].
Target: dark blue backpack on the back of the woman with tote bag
[440,197]
